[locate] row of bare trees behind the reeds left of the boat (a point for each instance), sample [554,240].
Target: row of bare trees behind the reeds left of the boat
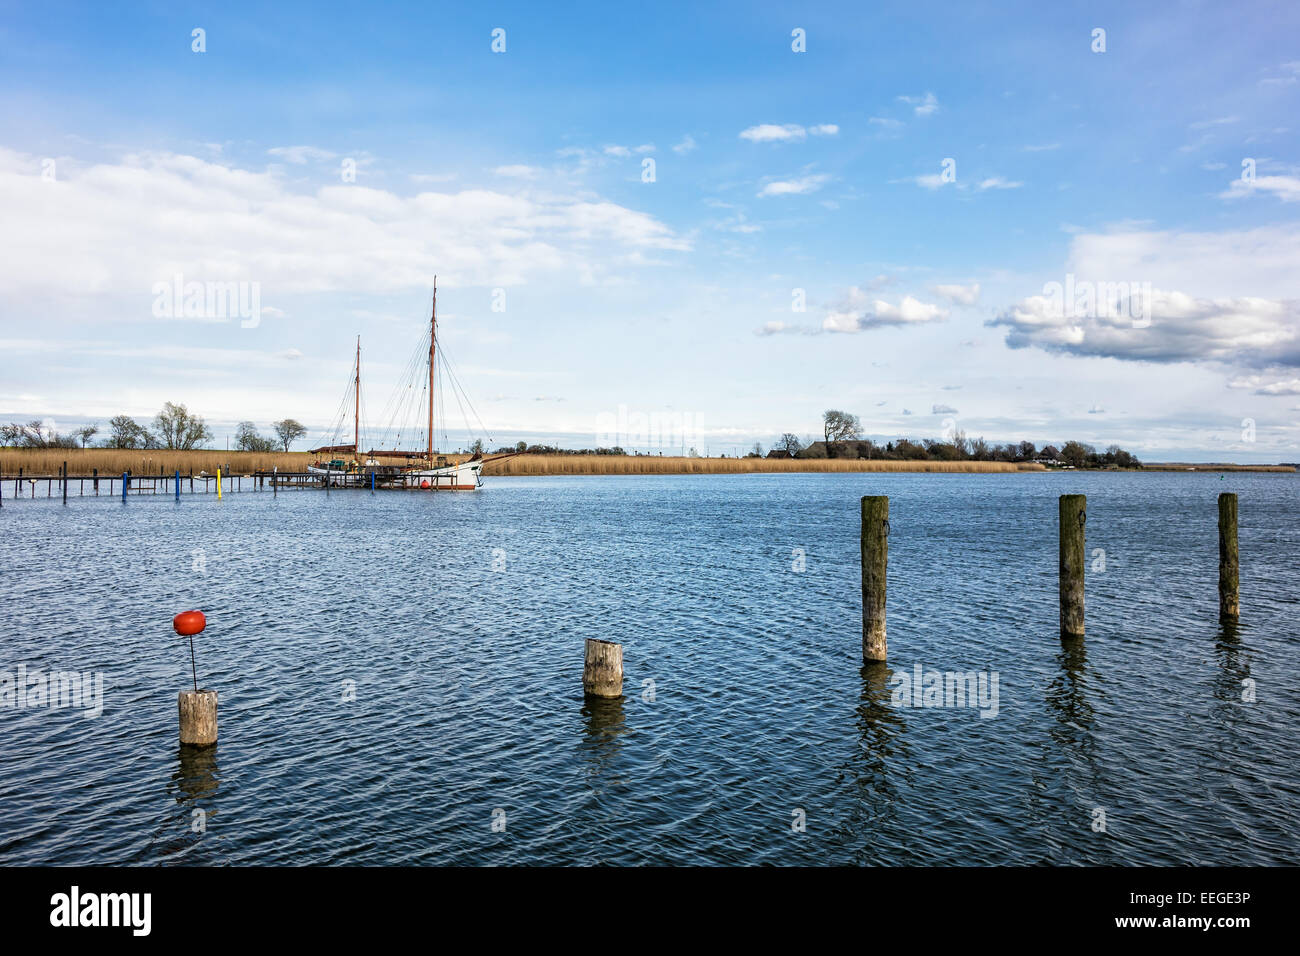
[174,429]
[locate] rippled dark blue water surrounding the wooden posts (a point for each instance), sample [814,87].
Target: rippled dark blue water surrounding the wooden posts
[467,674]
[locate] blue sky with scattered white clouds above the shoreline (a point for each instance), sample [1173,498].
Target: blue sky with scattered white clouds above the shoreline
[668,226]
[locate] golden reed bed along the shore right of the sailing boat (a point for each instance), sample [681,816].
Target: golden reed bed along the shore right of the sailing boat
[655,465]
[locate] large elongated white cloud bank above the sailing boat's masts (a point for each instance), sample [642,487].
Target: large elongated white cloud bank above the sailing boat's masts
[219,223]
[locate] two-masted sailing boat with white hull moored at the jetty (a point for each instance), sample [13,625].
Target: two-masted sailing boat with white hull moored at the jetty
[423,470]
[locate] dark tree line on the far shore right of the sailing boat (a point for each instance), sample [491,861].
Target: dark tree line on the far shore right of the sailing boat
[842,438]
